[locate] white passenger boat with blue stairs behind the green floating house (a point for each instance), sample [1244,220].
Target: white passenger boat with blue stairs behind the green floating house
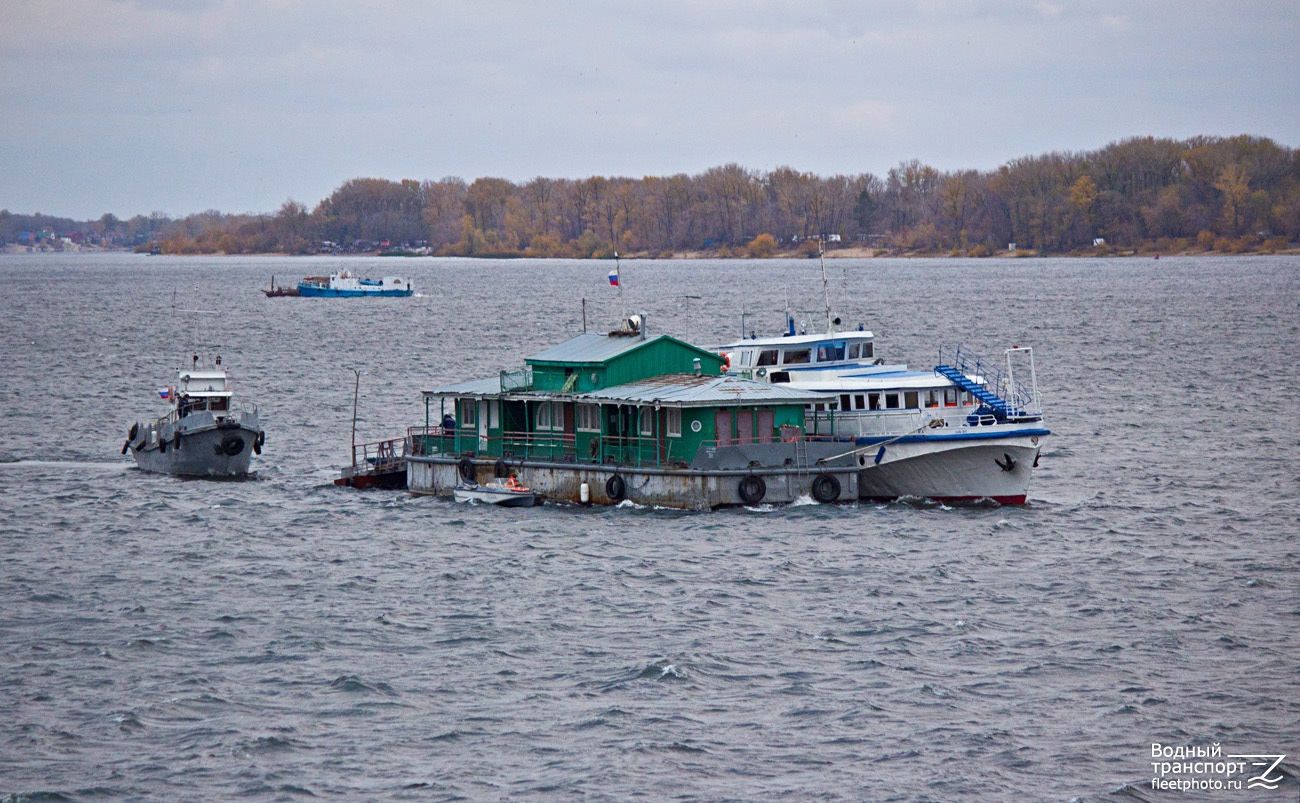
[967,431]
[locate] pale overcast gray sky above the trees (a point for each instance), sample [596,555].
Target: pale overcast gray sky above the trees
[140,106]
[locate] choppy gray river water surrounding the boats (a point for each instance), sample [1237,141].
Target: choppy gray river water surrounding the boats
[281,639]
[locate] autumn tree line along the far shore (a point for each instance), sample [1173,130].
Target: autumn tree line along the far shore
[1224,194]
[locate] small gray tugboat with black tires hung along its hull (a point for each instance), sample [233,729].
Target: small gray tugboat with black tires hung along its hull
[205,435]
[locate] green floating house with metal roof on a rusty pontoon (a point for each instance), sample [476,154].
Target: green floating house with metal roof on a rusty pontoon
[605,418]
